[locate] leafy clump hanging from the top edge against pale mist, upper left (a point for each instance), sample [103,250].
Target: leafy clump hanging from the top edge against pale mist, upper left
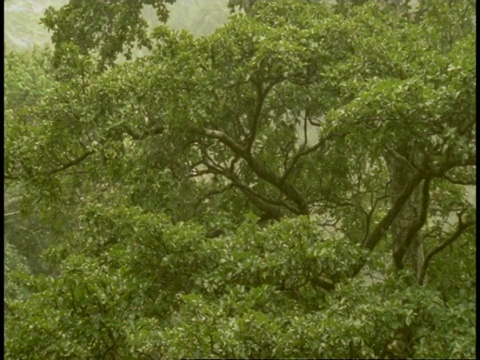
[116,29]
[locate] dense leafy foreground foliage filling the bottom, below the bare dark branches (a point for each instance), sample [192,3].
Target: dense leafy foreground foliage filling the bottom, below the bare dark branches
[148,287]
